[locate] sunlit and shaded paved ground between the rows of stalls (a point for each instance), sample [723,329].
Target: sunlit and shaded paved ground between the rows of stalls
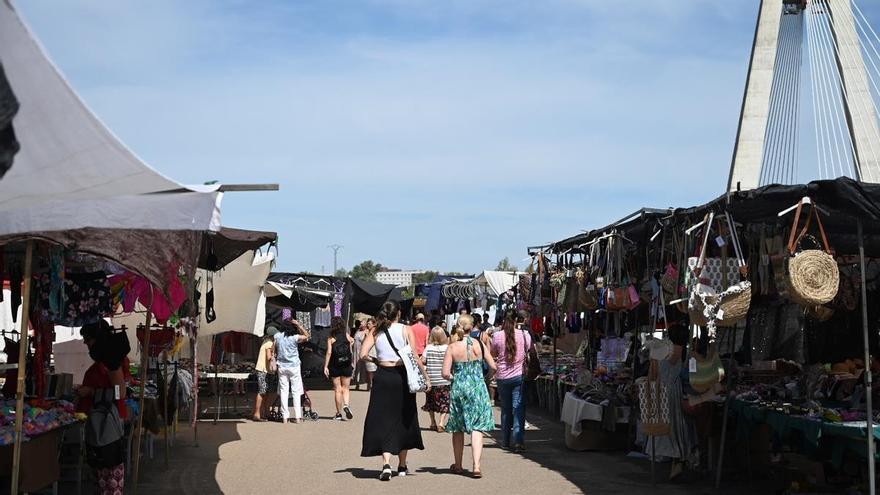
[241,457]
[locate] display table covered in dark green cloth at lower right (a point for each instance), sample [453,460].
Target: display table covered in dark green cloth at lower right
[805,433]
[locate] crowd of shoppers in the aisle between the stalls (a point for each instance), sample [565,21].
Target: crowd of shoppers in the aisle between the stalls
[459,366]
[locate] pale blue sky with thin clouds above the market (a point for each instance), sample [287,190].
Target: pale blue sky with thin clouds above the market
[417,133]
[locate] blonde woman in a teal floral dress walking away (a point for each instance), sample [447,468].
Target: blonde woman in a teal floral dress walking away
[470,409]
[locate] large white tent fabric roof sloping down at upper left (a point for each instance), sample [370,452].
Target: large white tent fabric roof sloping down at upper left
[72,172]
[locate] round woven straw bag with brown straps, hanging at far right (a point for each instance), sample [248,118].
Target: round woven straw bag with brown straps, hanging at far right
[812,275]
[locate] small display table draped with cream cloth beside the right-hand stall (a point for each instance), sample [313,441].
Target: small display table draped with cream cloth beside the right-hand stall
[584,425]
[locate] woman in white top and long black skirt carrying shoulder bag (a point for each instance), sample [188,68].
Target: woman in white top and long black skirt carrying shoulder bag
[392,424]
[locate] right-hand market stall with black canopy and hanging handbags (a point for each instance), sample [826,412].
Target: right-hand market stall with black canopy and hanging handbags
[635,277]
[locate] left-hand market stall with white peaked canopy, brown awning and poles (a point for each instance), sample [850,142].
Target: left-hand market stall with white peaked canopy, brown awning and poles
[78,208]
